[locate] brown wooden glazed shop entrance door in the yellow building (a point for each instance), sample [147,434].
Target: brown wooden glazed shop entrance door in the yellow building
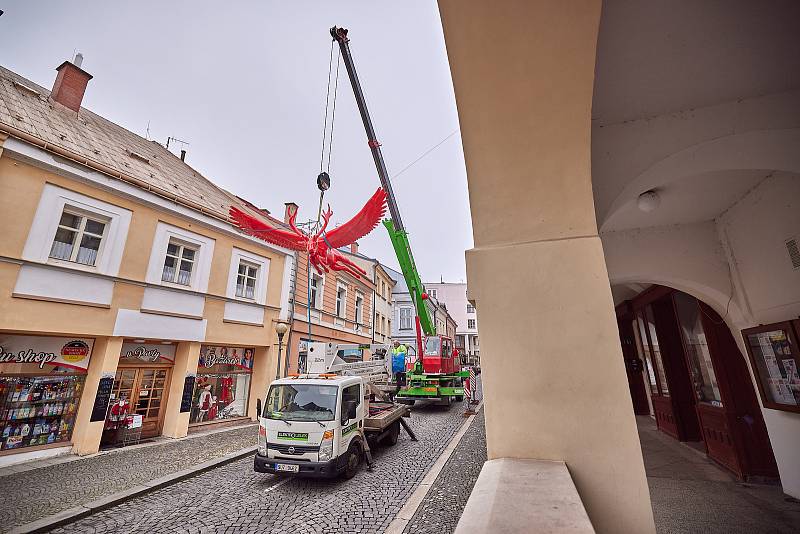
[144,387]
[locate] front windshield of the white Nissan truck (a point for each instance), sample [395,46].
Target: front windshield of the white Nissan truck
[301,402]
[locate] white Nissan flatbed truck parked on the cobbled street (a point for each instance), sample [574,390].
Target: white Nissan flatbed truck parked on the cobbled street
[322,424]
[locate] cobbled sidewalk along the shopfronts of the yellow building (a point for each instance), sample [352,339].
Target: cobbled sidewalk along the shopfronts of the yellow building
[37,493]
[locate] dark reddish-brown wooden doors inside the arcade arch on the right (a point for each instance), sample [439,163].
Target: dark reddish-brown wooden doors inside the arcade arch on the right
[695,379]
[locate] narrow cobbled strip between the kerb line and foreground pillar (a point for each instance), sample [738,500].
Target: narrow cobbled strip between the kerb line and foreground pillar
[441,509]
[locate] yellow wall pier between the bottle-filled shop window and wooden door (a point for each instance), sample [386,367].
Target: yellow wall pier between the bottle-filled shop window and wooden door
[104,359]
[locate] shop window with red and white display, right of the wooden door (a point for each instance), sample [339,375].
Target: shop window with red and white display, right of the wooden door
[222,387]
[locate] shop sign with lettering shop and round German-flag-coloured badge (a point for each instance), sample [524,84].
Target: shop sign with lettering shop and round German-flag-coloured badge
[64,352]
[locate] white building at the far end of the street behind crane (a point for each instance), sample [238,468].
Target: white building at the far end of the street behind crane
[465,316]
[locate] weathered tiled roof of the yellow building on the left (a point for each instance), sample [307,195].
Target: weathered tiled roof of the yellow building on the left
[25,106]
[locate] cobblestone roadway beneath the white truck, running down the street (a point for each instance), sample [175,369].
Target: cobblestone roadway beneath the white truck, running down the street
[234,498]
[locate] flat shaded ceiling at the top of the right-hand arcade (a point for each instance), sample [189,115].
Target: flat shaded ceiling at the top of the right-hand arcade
[655,58]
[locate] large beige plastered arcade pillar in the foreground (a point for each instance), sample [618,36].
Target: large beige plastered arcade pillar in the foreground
[554,381]
